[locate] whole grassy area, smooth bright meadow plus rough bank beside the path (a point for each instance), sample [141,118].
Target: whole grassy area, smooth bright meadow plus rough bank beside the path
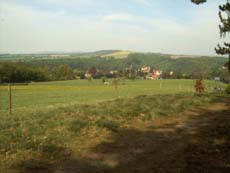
[51,120]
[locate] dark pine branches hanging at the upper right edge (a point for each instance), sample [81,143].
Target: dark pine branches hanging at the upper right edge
[224,28]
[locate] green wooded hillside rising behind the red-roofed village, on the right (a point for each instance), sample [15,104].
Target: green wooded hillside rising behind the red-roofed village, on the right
[182,64]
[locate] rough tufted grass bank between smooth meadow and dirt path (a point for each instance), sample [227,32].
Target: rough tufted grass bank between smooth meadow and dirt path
[35,140]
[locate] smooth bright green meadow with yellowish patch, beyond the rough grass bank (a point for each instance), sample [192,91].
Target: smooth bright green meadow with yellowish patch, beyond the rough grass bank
[64,93]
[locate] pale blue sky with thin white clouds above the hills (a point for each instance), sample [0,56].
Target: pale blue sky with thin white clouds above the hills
[165,26]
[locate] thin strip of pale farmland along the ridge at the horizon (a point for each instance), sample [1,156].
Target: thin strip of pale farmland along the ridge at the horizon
[117,54]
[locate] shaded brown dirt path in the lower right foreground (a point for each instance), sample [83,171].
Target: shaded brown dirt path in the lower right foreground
[198,142]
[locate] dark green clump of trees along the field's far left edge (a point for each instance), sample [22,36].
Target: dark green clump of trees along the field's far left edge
[20,72]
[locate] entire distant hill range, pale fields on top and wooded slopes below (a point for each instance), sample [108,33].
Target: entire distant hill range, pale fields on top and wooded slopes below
[116,59]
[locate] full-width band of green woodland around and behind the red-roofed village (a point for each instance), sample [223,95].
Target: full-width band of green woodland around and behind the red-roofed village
[26,69]
